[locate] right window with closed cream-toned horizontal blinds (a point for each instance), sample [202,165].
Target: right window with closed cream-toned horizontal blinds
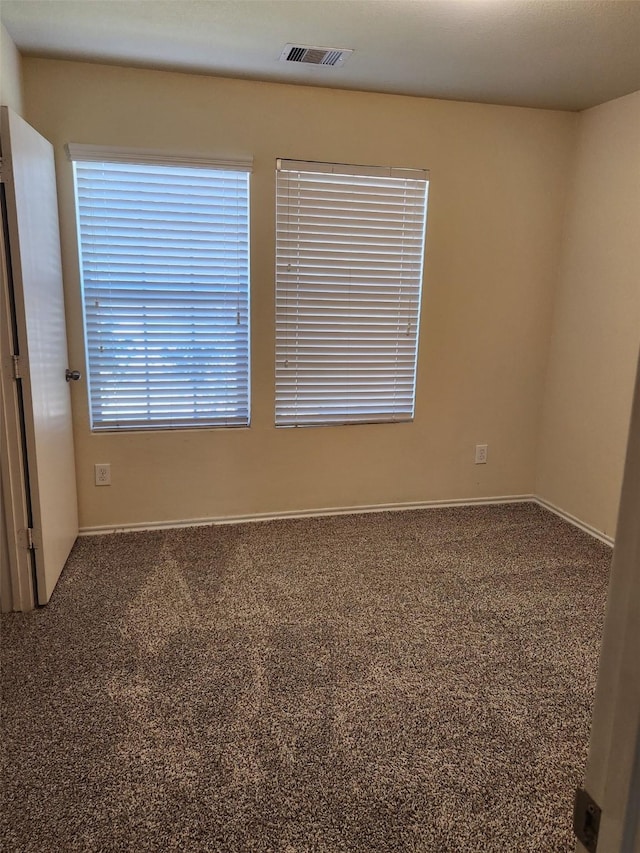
[350,247]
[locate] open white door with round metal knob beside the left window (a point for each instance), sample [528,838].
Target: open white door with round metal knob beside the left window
[34,267]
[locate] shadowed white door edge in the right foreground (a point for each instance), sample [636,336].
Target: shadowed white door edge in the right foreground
[613,770]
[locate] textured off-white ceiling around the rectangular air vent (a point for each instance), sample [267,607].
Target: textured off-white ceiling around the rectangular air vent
[561,54]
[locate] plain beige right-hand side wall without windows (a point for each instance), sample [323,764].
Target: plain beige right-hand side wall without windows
[596,328]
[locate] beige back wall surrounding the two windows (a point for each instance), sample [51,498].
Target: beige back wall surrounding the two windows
[496,204]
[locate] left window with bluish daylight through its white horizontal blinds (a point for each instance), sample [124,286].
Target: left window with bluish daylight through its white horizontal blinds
[164,248]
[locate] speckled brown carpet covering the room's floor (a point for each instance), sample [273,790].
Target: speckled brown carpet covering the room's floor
[412,681]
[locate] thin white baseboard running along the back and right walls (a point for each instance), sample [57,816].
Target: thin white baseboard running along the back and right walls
[347,510]
